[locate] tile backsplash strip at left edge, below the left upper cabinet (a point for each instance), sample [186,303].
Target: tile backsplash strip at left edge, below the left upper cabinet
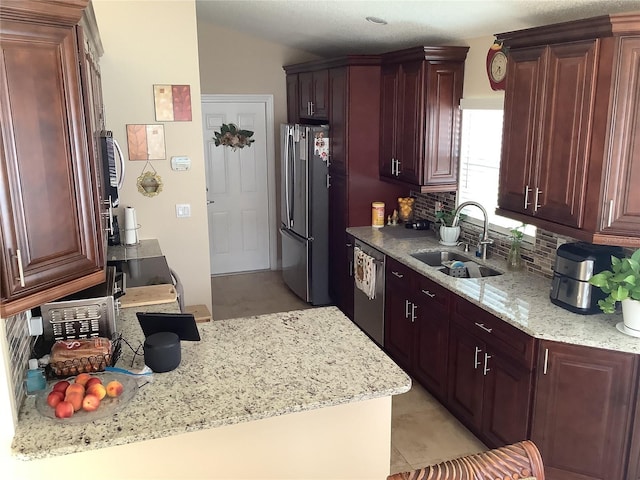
[20,347]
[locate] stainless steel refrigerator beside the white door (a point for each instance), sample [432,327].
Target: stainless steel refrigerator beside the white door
[304,205]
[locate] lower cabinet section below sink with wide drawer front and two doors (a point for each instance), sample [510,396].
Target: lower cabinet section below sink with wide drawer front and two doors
[490,386]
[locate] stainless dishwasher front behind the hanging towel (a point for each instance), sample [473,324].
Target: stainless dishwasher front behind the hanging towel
[368,313]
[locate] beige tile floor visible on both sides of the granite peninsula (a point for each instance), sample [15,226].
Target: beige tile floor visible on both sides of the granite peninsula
[423,432]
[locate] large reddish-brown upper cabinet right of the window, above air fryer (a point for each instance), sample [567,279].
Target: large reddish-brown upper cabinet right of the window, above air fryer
[571,138]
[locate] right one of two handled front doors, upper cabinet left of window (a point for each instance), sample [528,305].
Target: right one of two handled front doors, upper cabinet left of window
[410,130]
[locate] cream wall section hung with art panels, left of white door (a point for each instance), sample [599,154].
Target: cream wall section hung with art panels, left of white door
[149,43]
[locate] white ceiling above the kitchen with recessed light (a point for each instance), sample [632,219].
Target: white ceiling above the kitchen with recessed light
[336,27]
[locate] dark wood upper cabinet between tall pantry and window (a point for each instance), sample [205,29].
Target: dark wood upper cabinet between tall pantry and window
[421,89]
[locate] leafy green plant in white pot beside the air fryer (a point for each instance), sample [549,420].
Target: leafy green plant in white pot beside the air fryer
[622,284]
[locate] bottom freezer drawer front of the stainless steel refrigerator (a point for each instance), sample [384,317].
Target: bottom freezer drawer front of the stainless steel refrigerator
[295,263]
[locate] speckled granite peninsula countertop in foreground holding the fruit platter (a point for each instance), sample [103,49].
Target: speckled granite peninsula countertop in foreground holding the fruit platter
[242,370]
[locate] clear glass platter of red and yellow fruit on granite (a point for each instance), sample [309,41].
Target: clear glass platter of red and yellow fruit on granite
[86,397]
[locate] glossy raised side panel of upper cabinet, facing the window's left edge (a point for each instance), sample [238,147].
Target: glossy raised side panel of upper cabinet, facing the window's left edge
[441,147]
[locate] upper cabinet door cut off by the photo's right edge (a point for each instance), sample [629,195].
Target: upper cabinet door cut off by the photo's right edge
[622,196]
